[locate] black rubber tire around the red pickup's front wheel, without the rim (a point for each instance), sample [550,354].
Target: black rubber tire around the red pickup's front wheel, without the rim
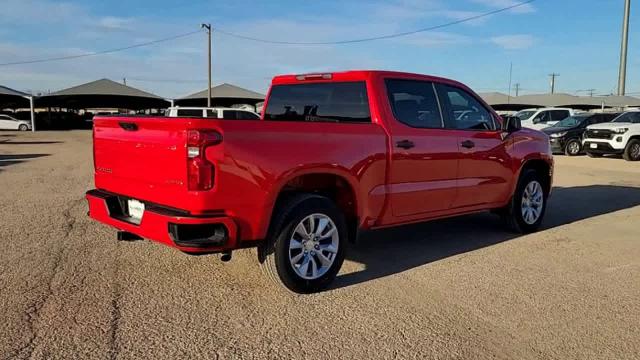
[512,214]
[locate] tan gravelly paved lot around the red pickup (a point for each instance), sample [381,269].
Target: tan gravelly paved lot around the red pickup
[457,288]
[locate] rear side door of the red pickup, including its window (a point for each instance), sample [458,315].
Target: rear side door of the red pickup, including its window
[424,155]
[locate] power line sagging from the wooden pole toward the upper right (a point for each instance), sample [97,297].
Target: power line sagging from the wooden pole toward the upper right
[381,37]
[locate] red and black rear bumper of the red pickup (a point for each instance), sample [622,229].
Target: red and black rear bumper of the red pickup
[175,228]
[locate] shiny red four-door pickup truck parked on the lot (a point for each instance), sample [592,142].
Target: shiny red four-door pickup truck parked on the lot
[333,154]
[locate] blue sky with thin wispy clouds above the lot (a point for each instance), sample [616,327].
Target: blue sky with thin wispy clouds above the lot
[578,39]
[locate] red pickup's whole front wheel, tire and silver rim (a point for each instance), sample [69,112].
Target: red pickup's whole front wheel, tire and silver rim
[528,204]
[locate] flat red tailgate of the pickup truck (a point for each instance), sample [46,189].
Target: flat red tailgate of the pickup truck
[142,157]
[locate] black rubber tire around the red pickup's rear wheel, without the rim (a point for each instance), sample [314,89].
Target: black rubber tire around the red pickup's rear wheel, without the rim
[273,253]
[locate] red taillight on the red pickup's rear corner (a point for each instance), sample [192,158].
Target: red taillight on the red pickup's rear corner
[199,170]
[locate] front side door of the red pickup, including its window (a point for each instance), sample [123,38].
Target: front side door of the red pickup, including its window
[484,166]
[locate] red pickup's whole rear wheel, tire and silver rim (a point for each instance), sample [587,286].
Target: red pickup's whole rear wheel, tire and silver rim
[306,245]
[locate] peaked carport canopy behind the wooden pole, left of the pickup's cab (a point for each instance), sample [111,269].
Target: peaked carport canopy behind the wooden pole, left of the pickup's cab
[222,95]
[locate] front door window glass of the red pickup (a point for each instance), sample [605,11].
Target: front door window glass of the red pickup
[464,111]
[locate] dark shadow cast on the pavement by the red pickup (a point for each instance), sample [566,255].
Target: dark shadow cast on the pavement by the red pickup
[391,251]
